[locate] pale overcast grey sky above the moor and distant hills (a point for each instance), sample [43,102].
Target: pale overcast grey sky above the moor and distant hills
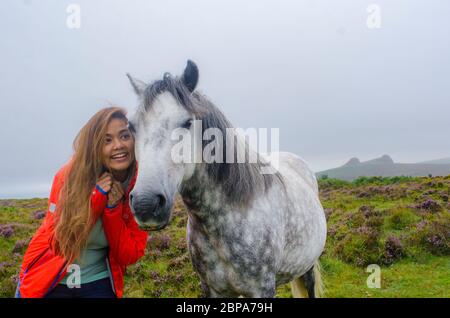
[335,87]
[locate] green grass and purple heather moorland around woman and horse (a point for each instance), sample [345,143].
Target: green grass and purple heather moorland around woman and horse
[401,224]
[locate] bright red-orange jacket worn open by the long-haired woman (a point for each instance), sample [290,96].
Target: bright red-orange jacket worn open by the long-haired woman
[42,270]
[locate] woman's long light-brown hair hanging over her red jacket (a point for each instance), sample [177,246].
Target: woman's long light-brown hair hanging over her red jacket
[74,218]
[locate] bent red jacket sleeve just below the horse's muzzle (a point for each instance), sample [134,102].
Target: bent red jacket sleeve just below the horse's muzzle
[127,243]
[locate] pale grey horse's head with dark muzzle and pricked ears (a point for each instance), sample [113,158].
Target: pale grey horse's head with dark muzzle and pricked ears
[166,110]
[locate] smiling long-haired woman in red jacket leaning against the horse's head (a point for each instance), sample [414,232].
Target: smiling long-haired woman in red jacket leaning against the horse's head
[89,234]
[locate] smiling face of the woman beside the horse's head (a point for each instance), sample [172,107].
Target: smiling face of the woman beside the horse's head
[118,149]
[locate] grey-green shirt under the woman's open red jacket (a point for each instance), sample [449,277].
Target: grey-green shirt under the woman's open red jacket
[92,260]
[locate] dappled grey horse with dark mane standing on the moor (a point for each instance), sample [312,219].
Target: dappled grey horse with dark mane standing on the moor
[248,231]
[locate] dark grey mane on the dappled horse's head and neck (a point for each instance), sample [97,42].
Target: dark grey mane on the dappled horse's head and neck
[240,182]
